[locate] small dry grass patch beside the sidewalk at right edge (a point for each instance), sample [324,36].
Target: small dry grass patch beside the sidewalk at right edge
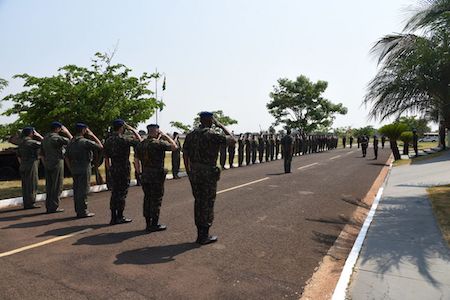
[440,201]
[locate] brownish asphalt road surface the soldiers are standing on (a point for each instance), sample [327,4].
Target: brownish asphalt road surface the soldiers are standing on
[272,233]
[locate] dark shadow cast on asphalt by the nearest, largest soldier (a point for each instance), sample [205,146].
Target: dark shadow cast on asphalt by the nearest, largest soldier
[154,255]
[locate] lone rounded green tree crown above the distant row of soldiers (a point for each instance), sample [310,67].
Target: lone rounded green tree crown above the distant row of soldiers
[299,104]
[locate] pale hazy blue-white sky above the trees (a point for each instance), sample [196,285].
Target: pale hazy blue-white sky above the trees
[223,55]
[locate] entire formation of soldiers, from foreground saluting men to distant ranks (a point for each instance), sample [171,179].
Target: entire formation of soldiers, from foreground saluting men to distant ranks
[201,149]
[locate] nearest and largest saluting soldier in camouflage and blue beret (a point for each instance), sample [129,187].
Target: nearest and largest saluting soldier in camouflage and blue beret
[200,156]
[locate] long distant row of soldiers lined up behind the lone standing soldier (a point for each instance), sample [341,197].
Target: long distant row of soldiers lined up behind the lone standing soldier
[268,147]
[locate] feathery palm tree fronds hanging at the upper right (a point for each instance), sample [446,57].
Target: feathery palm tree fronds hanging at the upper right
[414,74]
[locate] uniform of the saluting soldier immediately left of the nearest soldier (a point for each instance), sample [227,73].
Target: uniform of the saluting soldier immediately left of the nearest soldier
[151,152]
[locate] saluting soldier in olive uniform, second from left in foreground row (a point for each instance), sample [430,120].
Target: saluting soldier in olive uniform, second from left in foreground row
[53,153]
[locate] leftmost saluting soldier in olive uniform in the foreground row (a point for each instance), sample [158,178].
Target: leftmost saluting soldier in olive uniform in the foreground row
[28,157]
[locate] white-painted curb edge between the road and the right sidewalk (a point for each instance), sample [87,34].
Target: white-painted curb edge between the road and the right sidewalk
[341,288]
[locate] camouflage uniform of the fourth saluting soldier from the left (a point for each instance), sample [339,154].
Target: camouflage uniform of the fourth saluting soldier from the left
[117,149]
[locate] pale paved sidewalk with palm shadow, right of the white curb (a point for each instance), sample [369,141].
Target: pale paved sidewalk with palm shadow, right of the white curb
[404,255]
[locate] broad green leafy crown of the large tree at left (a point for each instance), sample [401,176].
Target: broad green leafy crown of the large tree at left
[95,95]
